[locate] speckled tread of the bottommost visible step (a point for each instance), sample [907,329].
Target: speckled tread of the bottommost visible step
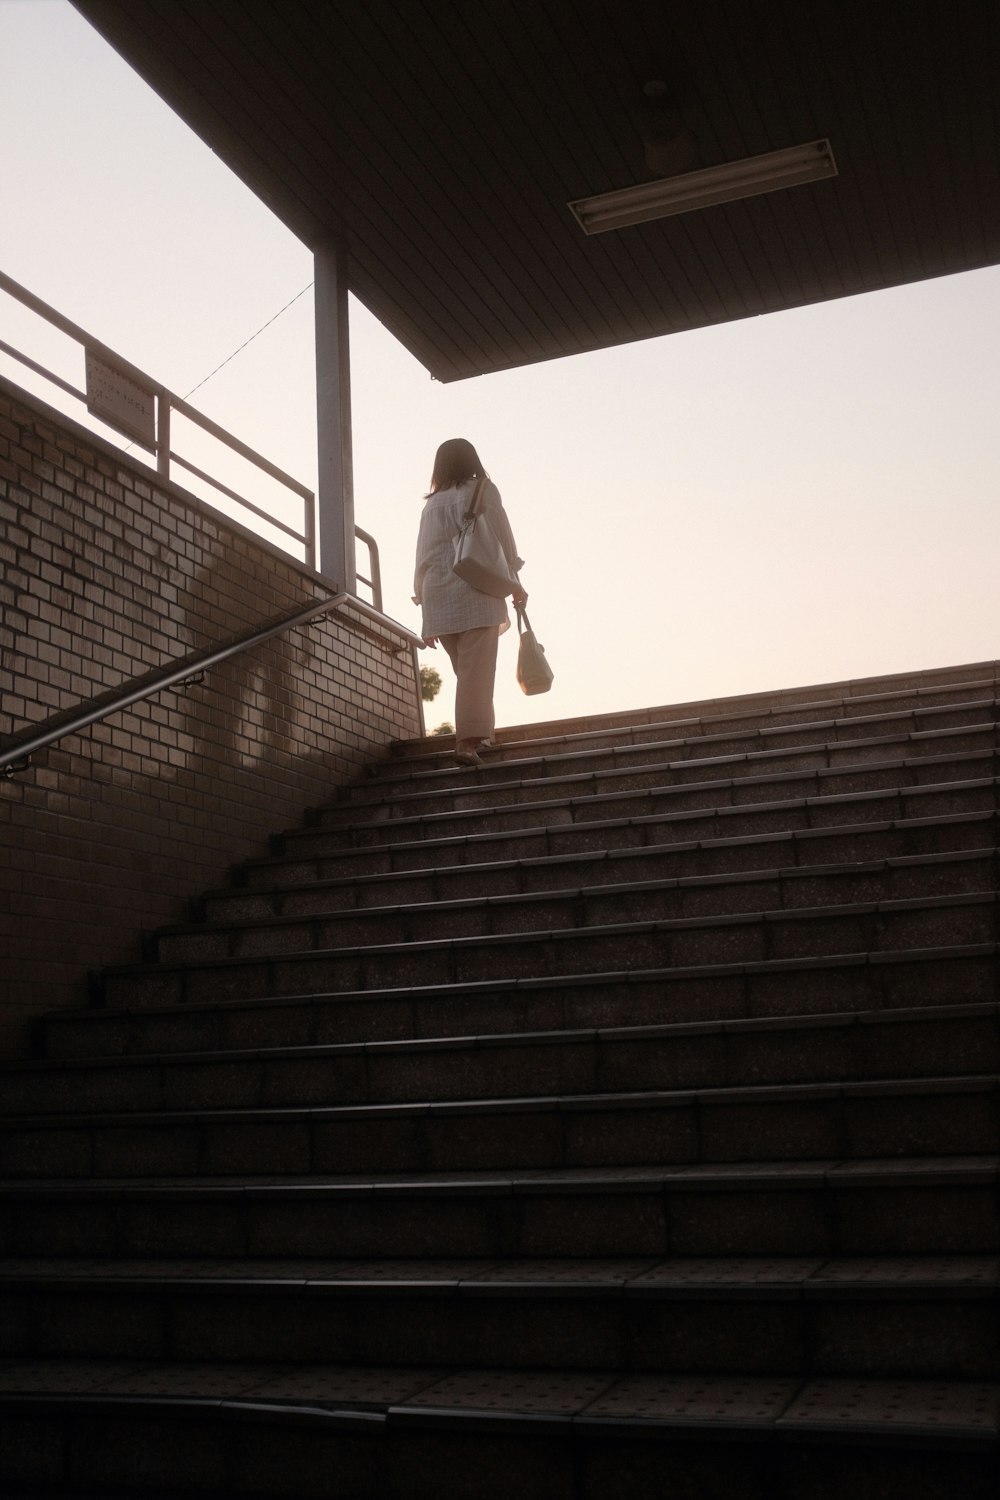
[723,1403]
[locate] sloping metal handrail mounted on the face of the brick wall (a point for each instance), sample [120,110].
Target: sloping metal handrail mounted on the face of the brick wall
[16,757]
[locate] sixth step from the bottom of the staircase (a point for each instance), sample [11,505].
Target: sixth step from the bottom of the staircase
[220,1016]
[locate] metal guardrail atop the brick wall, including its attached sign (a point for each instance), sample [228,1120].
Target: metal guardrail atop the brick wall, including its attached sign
[130,401]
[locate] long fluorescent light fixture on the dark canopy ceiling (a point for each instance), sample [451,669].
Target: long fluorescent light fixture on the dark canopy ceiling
[744,179]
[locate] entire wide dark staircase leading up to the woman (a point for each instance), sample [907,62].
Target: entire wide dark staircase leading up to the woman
[621,1120]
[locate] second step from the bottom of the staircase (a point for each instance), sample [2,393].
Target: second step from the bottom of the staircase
[932,1318]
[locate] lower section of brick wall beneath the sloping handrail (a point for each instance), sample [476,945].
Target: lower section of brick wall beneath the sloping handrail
[118,827]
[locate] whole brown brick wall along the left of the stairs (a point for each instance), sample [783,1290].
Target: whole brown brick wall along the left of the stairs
[104,575]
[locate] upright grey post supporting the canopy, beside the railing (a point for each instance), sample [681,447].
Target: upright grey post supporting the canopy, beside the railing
[335,491]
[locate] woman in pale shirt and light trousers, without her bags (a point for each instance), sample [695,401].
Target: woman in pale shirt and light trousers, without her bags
[464,620]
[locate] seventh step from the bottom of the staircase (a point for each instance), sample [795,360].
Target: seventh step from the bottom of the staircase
[301,958]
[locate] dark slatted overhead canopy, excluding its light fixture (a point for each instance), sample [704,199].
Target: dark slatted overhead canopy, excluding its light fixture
[442,140]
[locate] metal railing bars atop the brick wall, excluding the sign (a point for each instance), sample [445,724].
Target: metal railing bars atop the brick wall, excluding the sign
[161,448]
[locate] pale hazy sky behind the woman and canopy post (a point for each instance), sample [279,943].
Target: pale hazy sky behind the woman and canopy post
[782,502]
